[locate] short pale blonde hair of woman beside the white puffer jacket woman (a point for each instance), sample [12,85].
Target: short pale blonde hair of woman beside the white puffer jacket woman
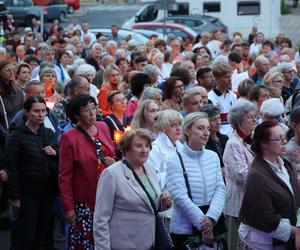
[166,117]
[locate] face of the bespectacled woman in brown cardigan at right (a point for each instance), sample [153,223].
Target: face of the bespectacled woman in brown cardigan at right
[275,146]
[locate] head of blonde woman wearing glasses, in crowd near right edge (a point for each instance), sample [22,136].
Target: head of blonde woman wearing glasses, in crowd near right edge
[274,81]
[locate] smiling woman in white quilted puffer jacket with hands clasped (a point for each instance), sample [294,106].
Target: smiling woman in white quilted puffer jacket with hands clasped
[195,182]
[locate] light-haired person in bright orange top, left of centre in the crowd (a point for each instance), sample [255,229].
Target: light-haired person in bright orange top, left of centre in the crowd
[112,76]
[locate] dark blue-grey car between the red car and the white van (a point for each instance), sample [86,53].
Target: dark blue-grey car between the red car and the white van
[199,23]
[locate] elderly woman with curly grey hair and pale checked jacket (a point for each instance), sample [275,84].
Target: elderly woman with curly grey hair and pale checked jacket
[237,159]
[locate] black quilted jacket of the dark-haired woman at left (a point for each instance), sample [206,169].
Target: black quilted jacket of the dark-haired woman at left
[31,171]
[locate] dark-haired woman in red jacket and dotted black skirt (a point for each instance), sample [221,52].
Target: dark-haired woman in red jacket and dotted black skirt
[85,151]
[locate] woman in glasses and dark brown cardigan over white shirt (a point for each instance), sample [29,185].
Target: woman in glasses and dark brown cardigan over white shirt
[271,193]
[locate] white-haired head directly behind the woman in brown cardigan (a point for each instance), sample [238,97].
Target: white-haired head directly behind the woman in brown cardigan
[273,110]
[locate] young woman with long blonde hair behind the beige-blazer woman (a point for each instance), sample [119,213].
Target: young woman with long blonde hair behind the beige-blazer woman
[145,117]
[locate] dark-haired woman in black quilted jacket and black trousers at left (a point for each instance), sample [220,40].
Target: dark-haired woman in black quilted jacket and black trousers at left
[32,161]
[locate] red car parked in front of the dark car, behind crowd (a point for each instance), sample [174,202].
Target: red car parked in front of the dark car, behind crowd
[174,28]
